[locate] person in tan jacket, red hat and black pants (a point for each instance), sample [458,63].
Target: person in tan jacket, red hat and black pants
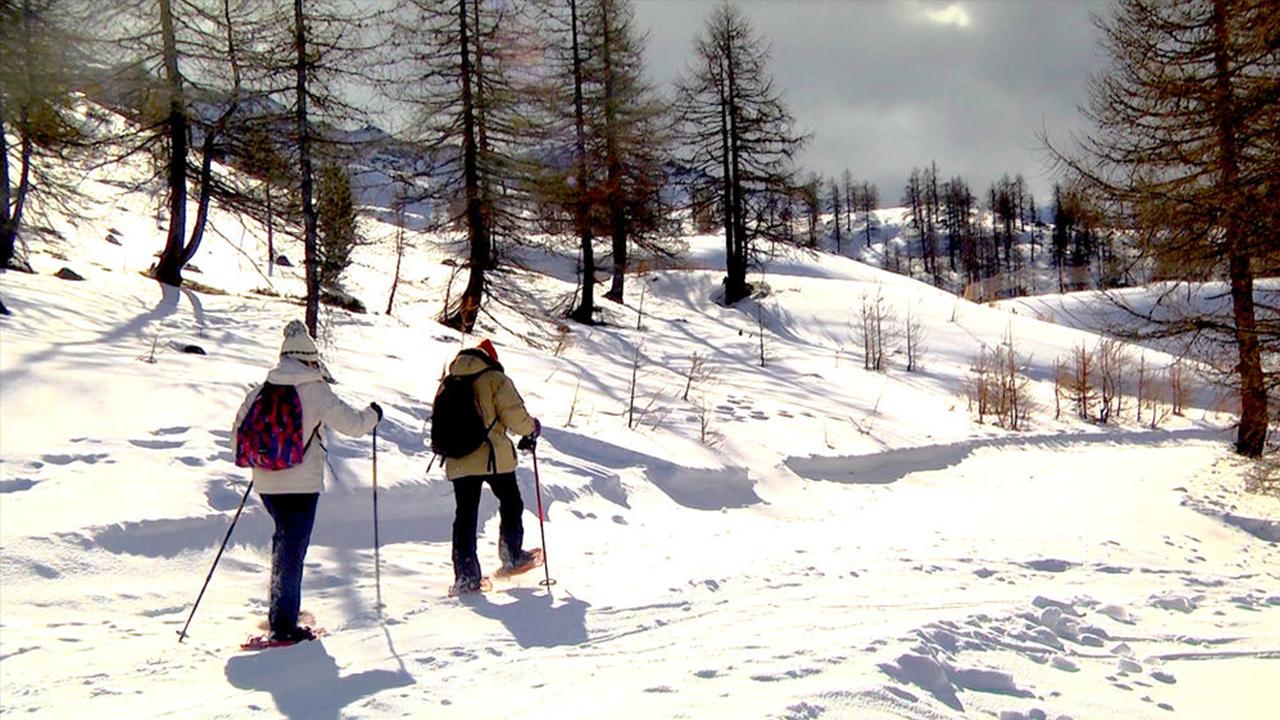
[495,463]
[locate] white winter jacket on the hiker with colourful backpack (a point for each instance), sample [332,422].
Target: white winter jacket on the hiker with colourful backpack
[321,407]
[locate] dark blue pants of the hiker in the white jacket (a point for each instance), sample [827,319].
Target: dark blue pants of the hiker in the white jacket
[295,514]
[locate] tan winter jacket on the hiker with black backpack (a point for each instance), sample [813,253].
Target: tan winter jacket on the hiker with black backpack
[497,399]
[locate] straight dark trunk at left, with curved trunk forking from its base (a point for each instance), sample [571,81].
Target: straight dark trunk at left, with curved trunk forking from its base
[170,268]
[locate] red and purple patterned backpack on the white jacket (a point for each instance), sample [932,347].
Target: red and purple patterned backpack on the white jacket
[271,435]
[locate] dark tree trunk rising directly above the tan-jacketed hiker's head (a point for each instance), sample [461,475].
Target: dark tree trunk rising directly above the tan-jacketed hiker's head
[464,318]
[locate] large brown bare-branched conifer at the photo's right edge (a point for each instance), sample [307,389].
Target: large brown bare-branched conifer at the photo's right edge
[1183,151]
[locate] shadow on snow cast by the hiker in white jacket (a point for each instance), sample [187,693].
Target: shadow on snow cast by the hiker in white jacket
[305,681]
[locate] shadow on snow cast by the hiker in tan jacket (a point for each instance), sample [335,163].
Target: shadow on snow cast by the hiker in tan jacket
[534,619]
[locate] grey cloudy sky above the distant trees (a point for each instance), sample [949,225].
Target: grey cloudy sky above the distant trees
[886,86]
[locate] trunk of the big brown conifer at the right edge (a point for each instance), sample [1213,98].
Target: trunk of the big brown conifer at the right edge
[1251,439]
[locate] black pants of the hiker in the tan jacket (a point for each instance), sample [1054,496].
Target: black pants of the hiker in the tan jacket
[511,532]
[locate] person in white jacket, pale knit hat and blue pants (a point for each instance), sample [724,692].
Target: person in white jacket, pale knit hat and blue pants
[291,495]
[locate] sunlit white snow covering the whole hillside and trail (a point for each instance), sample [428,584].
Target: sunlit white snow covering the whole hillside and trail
[803,540]
